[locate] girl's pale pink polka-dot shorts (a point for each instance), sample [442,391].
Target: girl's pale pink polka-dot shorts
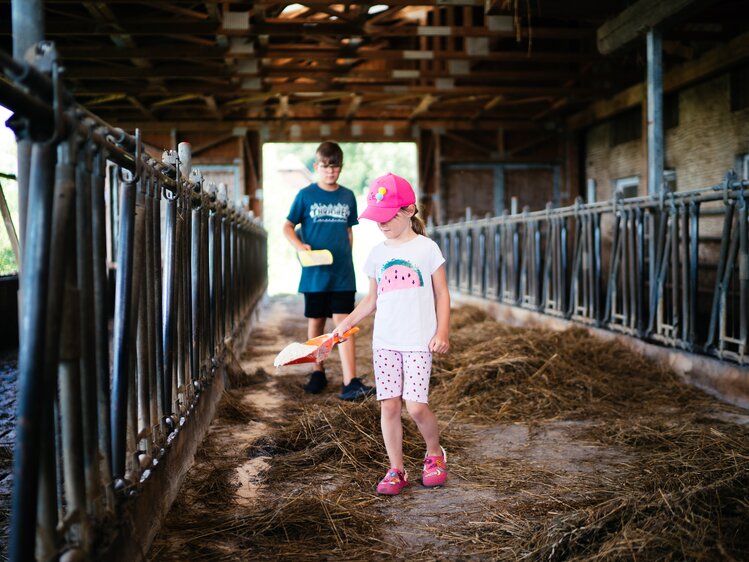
[402,373]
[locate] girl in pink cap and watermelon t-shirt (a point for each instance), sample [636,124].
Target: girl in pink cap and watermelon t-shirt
[408,288]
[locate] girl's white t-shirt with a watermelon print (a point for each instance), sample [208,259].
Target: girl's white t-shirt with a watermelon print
[406,318]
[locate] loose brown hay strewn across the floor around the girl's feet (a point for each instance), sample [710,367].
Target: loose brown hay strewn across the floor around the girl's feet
[675,489]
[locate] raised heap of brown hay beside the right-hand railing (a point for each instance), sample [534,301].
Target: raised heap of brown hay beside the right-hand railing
[497,373]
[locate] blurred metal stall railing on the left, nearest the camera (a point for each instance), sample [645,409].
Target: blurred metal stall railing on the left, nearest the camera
[91,428]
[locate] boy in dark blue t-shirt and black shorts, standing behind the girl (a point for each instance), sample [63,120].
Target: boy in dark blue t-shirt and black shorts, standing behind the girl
[326,212]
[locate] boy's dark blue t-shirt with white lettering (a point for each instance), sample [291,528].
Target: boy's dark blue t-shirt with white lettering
[325,217]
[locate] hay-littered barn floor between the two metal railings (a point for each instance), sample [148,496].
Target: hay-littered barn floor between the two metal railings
[551,472]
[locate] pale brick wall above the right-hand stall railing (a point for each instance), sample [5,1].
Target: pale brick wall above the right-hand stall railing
[700,149]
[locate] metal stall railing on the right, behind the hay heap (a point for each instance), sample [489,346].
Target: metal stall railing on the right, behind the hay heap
[672,270]
